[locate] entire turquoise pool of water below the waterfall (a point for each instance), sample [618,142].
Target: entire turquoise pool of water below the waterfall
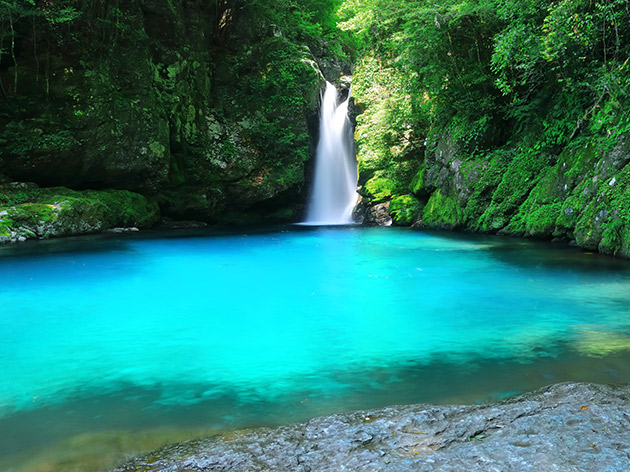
[232,330]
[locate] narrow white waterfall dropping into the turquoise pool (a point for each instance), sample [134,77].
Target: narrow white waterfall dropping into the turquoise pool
[334,193]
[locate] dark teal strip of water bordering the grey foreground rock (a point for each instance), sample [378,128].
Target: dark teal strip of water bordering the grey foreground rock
[477,380]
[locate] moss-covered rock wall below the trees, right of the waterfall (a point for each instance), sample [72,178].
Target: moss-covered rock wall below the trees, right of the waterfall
[581,196]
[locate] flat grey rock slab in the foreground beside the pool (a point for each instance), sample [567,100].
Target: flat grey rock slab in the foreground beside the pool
[565,427]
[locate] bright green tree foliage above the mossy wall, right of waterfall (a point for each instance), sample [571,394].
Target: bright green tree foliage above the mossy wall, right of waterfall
[487,74]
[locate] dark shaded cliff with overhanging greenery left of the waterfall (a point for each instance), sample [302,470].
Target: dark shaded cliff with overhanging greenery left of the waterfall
[206,110]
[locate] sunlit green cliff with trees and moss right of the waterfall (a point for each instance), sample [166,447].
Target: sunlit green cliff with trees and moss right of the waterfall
[500,117]
